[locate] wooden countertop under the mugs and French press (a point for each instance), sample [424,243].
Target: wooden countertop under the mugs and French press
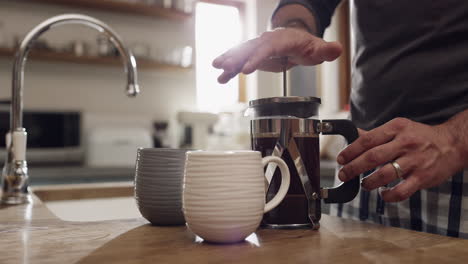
[32,234]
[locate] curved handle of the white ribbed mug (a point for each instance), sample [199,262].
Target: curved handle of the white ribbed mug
[285,180]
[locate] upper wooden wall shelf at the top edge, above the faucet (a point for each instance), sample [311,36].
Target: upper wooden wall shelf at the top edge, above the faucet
[135,8]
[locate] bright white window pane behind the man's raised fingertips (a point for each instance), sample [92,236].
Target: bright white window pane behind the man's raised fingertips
[217,28]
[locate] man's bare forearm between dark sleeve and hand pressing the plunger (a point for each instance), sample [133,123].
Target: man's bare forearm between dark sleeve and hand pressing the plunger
[294,15]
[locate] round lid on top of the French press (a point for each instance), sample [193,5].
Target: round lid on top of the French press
[295,106]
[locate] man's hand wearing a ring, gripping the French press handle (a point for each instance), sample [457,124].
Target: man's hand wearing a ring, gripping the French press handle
[427,155]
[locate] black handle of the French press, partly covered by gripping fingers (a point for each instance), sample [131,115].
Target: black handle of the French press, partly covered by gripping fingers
[346,191]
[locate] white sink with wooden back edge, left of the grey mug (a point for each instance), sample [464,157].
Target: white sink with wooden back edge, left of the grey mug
[90,202]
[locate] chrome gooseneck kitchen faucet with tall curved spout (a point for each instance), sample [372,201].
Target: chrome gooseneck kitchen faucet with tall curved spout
[15,172]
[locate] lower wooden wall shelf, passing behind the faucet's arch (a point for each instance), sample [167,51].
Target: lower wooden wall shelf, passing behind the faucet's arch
[53,56]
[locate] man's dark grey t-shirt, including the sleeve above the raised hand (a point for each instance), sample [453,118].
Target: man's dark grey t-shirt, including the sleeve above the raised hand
[411,58]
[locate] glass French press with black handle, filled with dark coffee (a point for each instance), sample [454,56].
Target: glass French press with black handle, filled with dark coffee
[288,127]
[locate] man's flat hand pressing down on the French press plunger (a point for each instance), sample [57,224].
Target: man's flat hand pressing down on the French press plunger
[265,53]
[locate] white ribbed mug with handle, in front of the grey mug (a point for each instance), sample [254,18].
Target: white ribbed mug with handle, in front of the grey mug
[223,196]
